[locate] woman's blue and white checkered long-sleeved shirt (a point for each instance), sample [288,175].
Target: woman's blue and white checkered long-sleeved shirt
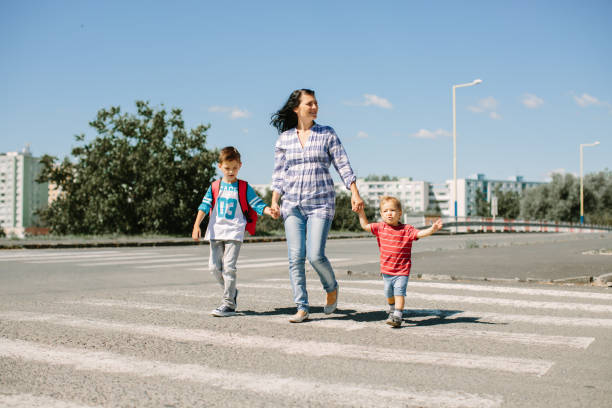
[301,175]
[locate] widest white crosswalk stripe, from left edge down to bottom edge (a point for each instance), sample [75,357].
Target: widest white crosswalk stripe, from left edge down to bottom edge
[258,383]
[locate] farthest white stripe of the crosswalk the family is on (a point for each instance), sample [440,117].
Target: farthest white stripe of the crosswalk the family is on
[483,288]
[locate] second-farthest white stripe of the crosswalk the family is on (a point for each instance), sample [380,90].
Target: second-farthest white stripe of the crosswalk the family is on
[586,307]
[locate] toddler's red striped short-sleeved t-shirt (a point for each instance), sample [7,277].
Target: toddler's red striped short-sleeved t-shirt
[395,244]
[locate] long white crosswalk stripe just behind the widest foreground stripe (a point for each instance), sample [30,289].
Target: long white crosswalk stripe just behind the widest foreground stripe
[315,349]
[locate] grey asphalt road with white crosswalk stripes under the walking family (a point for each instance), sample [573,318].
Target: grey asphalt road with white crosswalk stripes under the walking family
[130,327]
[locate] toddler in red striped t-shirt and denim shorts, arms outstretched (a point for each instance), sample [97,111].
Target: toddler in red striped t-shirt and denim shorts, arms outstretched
[395,244]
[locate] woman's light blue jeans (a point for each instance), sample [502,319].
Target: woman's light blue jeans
[306,238]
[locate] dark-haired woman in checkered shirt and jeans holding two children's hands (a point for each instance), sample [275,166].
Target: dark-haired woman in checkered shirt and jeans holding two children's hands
[302,155]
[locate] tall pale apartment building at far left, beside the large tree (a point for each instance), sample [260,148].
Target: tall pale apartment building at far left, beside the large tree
[20,194]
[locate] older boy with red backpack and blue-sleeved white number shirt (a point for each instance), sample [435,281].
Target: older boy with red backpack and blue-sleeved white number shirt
[226,226]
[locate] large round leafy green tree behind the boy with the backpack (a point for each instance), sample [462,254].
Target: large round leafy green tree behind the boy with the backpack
[142,173]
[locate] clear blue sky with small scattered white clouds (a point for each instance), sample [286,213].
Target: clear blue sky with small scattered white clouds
[383,73]
